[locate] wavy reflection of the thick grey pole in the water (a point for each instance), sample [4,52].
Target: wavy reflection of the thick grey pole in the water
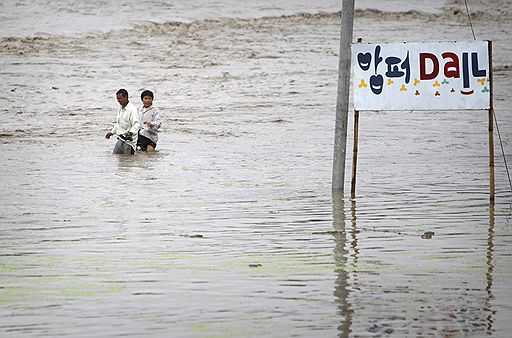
[341,259]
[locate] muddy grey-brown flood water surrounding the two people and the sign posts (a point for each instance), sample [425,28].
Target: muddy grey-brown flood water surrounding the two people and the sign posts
[230,229]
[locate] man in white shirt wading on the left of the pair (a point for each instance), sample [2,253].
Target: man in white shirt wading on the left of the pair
[126,127]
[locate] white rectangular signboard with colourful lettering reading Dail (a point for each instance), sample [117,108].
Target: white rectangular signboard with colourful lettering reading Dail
[421,76]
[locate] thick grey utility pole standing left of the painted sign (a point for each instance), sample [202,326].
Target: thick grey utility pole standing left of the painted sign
[343,93]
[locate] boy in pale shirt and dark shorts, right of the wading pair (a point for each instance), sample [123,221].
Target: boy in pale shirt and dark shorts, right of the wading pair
[149,117]
